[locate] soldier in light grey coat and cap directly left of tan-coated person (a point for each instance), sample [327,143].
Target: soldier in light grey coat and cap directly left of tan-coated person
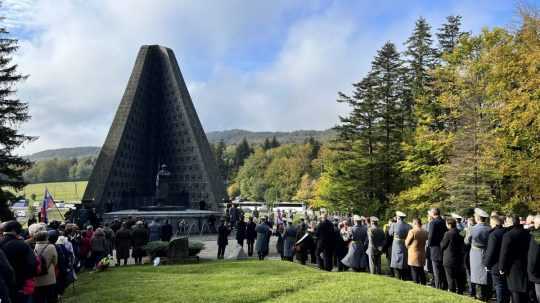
[398,232]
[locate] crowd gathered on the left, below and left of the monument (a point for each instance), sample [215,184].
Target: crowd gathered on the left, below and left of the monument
[38,263]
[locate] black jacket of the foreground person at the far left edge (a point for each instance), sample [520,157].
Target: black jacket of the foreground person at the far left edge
[21,258]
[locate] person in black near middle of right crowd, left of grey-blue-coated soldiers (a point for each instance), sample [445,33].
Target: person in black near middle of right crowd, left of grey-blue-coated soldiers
[326,243]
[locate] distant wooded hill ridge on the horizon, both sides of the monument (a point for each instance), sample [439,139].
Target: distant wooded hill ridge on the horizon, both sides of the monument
[230,137]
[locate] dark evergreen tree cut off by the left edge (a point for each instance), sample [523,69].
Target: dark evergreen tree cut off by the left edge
[13,112]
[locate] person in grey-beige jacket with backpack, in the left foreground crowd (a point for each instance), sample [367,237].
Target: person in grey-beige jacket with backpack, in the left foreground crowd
[45,291]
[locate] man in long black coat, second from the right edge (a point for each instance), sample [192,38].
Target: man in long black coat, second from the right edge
[513,259]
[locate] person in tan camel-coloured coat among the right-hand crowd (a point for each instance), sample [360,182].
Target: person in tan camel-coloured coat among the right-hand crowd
[416,251]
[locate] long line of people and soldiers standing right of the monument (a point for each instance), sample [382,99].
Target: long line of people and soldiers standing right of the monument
[487,256]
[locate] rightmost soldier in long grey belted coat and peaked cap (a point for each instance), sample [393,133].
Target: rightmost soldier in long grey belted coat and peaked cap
[478,238]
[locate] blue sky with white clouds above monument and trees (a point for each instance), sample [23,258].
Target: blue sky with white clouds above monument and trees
[256,65]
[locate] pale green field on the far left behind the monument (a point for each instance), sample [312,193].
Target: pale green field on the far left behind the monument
[61,191]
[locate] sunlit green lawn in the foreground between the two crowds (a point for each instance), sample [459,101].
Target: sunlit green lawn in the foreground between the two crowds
[246,281]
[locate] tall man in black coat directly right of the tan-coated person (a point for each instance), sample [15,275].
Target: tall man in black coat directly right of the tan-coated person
[437,228]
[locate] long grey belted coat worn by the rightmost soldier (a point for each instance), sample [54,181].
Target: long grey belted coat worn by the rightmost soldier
[478,239]
